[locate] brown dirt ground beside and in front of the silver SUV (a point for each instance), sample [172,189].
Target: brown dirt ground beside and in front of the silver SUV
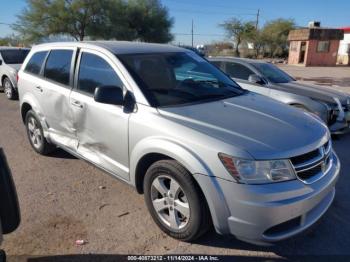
[61,202]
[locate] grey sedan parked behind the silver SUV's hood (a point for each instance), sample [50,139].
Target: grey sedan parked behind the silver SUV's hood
[331,106]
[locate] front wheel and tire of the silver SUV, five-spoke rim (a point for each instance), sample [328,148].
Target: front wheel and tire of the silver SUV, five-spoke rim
[175,201]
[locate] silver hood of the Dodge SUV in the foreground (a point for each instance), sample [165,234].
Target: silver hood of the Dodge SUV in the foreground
[263,127]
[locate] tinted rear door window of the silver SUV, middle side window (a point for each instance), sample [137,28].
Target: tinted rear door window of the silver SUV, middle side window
[58,66]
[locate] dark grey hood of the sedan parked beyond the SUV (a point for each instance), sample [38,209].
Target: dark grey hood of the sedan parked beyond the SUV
[313,91]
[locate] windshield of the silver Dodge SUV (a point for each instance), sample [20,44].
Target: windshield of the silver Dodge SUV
[170,79]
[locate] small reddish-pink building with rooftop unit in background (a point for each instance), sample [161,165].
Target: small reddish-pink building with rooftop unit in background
[314,46]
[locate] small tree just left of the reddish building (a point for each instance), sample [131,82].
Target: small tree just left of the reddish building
[274,36]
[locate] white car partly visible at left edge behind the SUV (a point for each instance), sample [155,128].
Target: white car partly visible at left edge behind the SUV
[11,59]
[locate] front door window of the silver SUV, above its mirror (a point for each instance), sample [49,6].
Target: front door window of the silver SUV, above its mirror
[95,71]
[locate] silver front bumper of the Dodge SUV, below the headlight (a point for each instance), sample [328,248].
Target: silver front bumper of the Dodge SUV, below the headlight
[263,214]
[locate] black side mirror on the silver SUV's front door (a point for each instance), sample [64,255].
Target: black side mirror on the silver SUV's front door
[112,95]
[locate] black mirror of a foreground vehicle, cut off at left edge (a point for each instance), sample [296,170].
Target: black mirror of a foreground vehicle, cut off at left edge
[9,208]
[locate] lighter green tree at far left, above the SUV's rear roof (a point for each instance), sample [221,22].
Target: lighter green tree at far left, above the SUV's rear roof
[43,18]
